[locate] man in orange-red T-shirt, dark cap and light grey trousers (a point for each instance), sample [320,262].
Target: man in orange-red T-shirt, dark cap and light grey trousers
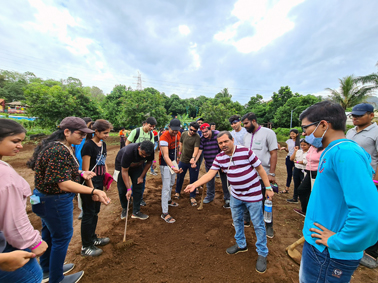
[168,157]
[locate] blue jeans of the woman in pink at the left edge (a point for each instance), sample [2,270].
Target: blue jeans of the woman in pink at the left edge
[31,272]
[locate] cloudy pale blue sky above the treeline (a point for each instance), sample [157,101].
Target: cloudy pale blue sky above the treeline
[193,48]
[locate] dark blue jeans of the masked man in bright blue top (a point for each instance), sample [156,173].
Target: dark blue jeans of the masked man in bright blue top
[317,267]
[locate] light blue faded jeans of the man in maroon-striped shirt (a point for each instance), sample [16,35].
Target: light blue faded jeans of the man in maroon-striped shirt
[257,218]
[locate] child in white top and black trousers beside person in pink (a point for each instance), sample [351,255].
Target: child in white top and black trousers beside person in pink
[299,159]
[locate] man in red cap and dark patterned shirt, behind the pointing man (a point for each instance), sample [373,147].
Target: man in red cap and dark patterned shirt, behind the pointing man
[209,147]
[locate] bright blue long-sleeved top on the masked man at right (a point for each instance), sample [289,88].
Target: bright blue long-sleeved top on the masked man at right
[344,200]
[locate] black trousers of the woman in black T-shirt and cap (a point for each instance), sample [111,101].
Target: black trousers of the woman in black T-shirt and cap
[91,209]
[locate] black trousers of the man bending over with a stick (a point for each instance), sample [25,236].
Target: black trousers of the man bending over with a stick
[134,173]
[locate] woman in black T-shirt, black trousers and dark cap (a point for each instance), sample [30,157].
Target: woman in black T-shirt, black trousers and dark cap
[94,157]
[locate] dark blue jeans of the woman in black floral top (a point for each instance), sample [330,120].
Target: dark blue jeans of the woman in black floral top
[56,212]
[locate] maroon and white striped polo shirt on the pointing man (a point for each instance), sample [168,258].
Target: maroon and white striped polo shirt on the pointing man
[242,175]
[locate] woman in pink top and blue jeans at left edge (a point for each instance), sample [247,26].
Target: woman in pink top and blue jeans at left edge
[17,233]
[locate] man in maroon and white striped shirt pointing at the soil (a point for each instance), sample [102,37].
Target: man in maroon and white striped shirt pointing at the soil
[241,166]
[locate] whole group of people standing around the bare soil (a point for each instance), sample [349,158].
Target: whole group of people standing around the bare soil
[338,195]
